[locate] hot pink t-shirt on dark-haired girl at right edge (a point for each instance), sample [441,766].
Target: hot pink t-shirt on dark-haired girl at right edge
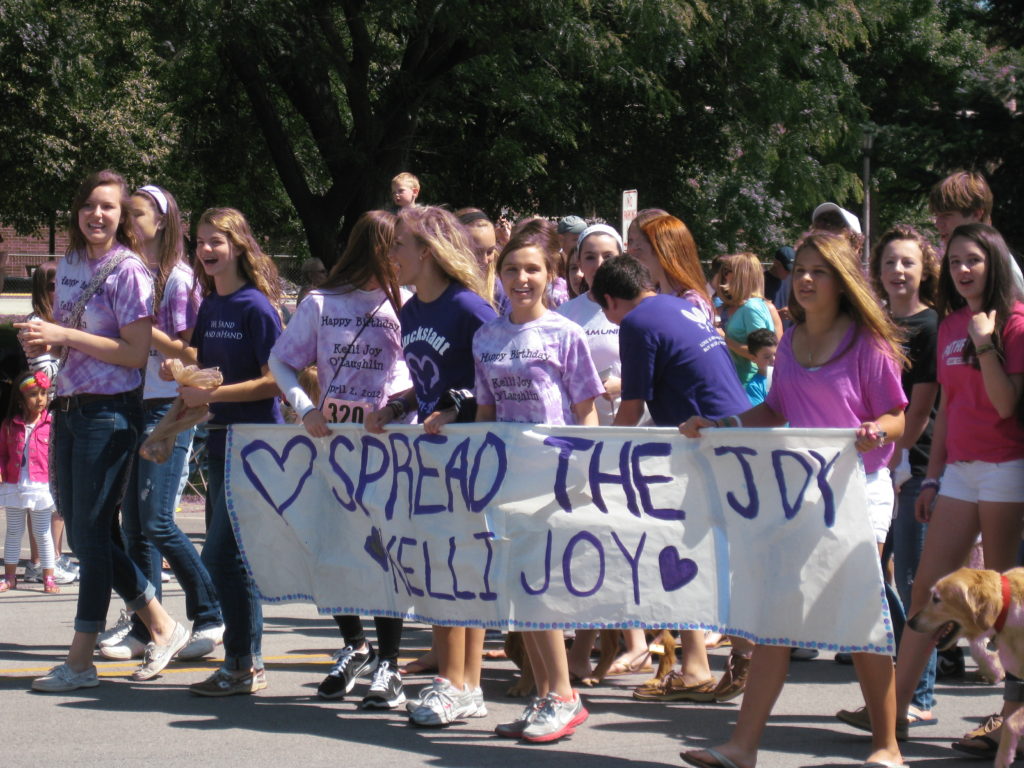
[974,430]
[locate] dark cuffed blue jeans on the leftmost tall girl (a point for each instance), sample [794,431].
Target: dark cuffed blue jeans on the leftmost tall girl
[94,448]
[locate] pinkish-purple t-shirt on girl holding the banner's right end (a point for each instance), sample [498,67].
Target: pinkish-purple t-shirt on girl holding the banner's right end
[860,383]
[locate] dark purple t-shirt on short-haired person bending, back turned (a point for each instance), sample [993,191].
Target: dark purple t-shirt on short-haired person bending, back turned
[675,361]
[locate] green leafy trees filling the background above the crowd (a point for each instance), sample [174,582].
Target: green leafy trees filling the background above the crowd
[739,116]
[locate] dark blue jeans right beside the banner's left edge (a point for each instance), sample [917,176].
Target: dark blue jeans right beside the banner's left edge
[242,609]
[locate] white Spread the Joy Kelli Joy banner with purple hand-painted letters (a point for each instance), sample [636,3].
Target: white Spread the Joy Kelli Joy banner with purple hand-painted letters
[759,533]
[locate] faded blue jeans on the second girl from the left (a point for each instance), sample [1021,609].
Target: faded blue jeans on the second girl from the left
[148,520]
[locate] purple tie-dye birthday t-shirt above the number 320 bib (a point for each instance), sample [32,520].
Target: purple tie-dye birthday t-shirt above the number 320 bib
[323,331]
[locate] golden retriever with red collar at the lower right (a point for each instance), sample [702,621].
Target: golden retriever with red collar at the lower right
[984,607]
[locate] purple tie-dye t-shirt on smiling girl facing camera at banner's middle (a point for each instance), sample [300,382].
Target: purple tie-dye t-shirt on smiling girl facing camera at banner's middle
[534,373]
